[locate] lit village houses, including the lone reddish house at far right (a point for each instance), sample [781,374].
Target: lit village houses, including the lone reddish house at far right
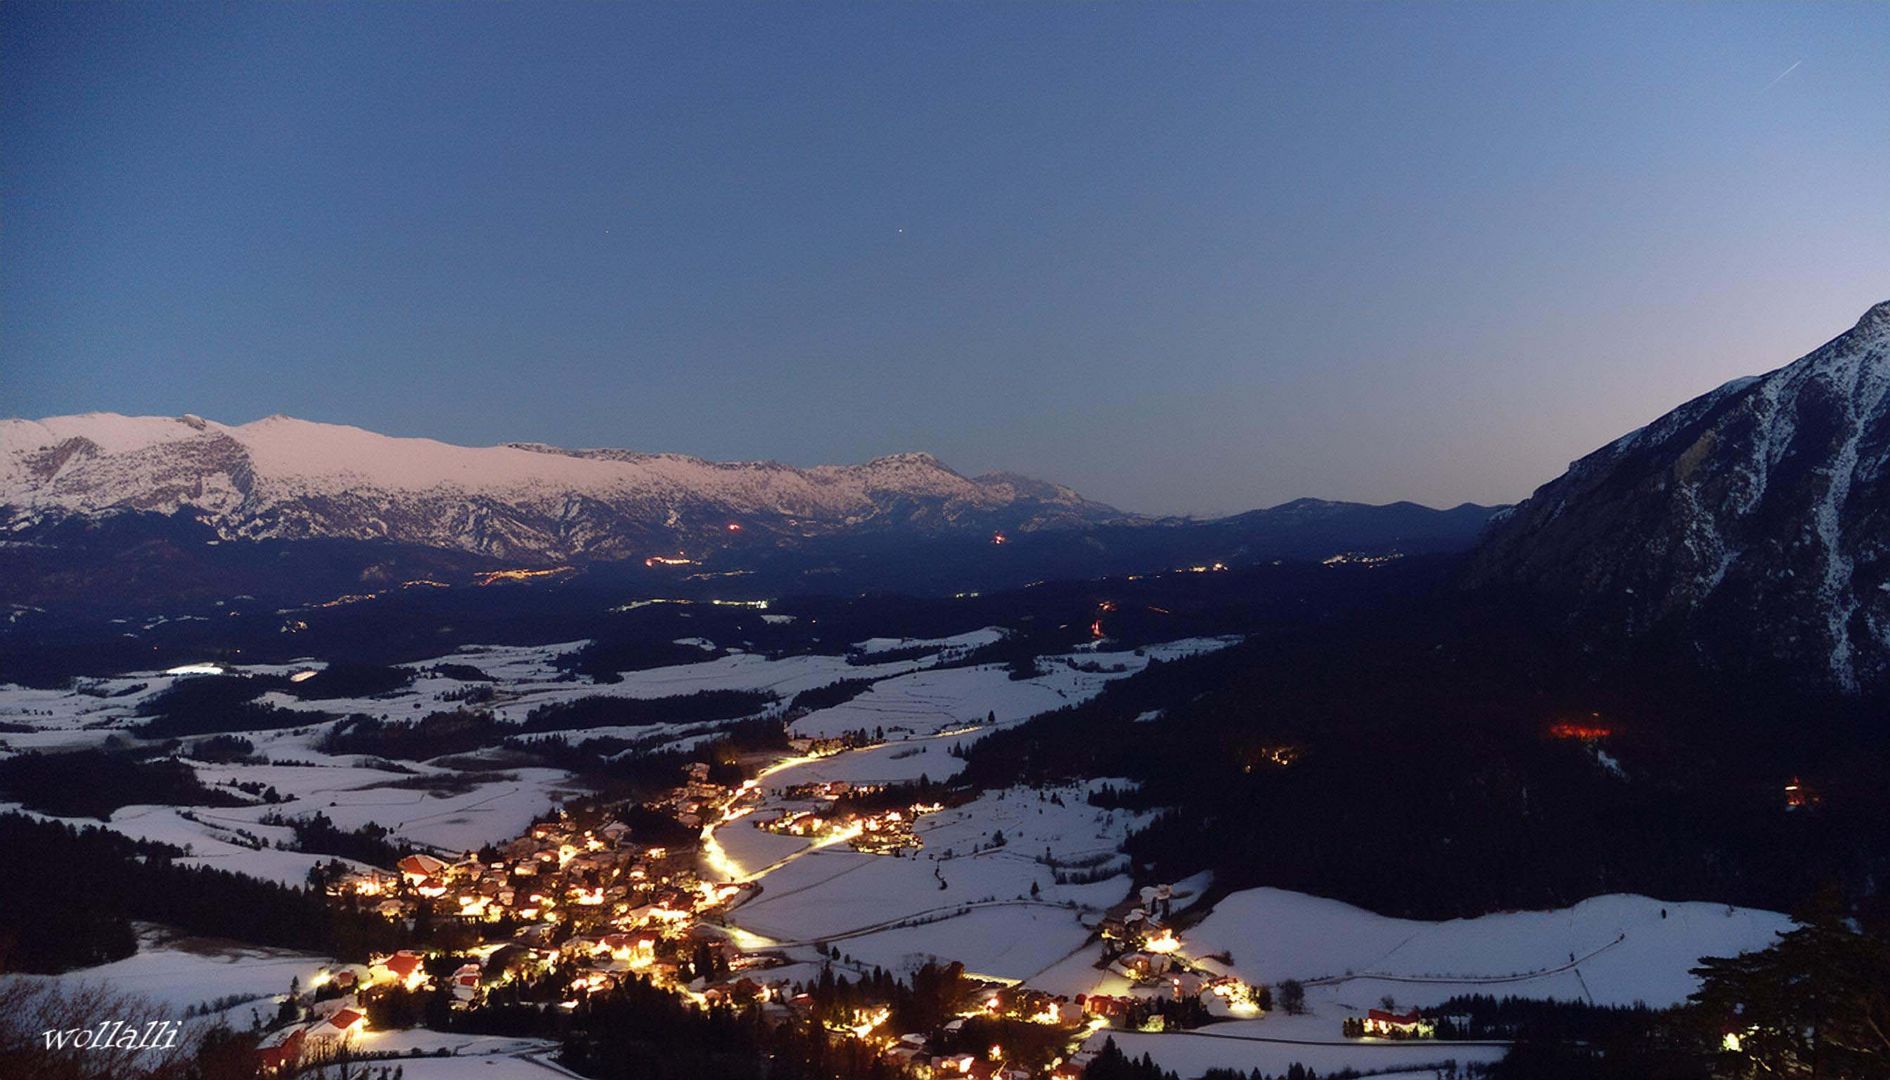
[589,905]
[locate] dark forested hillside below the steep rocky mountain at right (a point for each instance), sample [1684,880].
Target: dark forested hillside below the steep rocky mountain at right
[1445,759]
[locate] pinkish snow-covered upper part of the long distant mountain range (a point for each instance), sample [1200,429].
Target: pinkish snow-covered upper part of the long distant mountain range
[294,479]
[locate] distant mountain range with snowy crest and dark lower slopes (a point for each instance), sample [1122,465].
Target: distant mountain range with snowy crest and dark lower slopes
[284,479]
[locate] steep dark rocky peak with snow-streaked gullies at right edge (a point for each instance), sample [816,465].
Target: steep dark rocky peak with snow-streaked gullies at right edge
[1753,521]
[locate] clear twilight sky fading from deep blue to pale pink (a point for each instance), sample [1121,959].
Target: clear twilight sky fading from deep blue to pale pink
[1182,258]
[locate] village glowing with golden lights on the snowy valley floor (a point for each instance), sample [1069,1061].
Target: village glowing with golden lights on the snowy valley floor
[579,905]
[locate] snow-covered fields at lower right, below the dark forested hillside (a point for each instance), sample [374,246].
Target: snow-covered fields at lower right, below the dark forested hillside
[1607,950]
